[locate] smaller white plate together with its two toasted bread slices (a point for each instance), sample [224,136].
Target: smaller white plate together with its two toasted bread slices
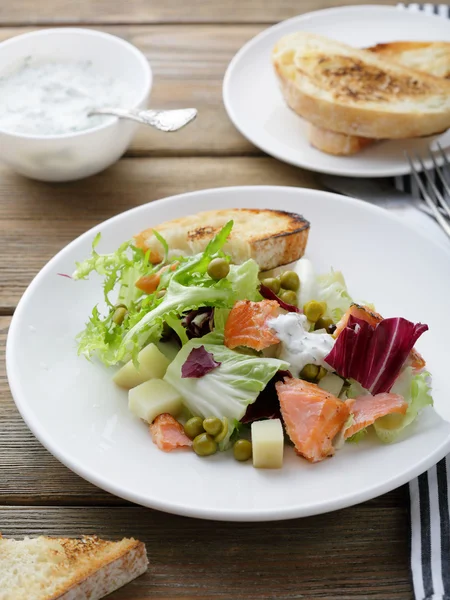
[256,105]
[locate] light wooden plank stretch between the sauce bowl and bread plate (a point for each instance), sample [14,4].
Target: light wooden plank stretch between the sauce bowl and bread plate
[189,63]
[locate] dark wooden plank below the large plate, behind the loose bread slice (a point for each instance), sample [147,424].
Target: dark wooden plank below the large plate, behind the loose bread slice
[352,554]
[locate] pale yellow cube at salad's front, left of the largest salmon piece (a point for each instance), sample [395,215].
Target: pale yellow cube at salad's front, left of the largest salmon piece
[267,444]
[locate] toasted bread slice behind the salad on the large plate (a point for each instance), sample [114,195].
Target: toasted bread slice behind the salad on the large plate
[271,237]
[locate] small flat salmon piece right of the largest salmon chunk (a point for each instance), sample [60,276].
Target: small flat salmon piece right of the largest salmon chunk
[367,409]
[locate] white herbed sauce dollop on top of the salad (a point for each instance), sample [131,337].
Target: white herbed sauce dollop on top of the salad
[300,347]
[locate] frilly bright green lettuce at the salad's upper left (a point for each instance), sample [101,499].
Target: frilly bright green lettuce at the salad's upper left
[187,287]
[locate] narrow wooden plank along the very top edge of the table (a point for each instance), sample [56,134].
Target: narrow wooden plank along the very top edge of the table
[54,12]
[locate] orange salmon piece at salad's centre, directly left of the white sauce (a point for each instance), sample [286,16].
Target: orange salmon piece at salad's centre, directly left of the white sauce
[247,324]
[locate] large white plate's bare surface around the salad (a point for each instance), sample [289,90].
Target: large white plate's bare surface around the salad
[74,409]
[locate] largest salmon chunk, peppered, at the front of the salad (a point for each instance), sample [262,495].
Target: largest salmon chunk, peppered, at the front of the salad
[312,417]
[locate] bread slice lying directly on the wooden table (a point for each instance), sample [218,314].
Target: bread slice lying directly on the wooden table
[89,568]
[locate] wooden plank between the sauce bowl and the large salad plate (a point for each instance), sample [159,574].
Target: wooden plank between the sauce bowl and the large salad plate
[38,219]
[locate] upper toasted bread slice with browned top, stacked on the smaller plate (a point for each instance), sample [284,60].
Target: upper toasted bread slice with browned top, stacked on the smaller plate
[356,92]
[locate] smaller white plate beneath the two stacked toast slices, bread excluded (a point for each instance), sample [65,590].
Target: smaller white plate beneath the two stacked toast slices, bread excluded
[255,105]
